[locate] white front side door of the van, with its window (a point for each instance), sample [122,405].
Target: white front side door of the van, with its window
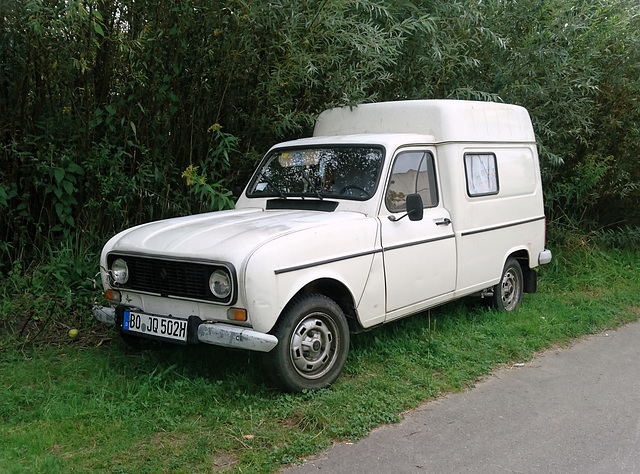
[419,256]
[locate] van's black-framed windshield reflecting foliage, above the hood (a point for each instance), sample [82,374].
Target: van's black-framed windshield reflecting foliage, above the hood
[350,172]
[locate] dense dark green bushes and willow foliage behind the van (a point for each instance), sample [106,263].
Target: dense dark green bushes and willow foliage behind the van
[118,112]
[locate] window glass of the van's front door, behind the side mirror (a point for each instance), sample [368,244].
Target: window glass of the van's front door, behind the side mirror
[413,172]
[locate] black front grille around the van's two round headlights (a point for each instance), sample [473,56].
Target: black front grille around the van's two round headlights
[170,277]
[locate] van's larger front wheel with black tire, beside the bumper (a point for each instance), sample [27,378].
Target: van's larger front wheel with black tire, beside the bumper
[313,344]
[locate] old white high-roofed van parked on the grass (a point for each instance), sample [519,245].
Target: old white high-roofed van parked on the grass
[388,210]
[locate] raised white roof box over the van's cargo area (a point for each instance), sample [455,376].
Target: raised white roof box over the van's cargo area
[445,120]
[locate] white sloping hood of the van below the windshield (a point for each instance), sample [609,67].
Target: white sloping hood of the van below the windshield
[223,236]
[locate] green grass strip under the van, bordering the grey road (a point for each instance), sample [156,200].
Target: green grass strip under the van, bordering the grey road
[92,405]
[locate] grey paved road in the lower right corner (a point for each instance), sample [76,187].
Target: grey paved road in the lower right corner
[571,410]
